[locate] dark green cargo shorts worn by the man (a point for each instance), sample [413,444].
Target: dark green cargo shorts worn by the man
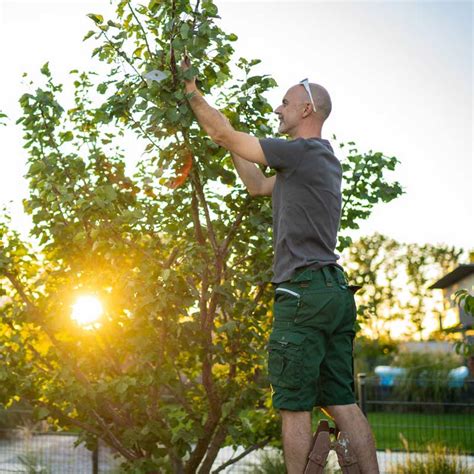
[310,360]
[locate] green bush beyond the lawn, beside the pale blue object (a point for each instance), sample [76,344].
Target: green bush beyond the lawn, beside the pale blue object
[426,376]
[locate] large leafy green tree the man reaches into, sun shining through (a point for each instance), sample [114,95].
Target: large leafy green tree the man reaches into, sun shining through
[178,253]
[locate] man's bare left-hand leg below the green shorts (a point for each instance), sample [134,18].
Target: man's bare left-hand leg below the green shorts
[297,439]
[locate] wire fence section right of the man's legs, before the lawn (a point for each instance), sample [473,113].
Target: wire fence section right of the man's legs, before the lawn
[417,413]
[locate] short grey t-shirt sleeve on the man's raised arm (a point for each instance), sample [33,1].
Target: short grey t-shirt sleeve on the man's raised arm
[282,155]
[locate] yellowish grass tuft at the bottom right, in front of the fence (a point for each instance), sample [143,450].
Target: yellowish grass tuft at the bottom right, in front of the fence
[438,460]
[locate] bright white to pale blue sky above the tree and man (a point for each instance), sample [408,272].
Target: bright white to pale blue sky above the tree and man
[399,73]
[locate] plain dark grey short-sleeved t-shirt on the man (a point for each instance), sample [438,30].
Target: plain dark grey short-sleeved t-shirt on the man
[306,203]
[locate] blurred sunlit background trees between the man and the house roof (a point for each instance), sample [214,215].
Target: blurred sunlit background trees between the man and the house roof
[395,278]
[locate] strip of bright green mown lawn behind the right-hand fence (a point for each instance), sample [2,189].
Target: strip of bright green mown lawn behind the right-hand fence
[420,430]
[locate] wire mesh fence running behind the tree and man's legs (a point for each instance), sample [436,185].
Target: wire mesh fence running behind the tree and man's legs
[407,417]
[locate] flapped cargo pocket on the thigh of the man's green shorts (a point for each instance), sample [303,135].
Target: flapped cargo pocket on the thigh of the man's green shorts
[285,359]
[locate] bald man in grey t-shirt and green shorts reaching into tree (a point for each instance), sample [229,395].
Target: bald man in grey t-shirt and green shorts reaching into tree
[310,349]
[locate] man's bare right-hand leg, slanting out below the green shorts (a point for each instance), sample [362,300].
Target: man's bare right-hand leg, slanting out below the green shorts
[349,418]
